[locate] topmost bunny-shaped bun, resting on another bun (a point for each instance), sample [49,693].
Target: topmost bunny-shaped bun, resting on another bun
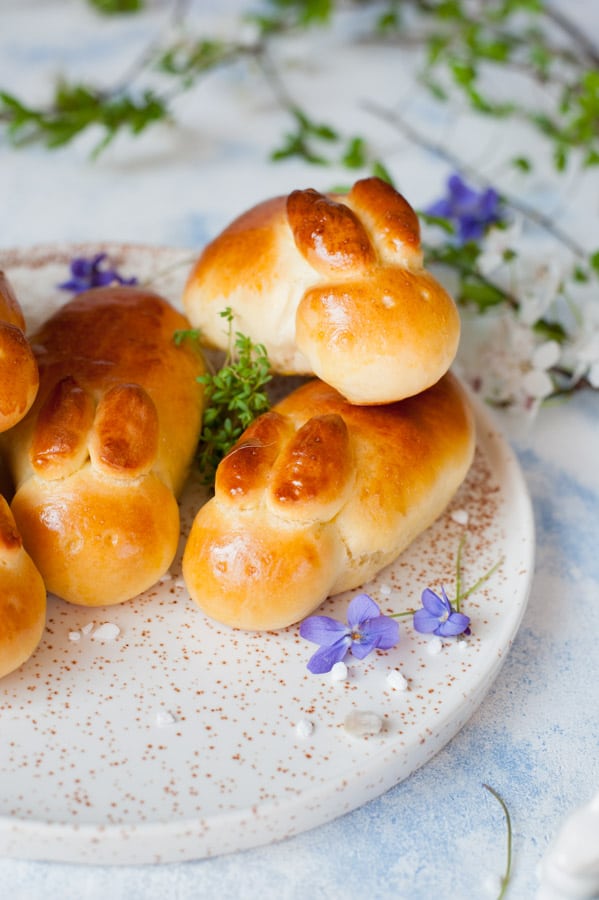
[332,286]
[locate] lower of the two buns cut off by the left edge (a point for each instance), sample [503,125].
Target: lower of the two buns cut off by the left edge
[22,597]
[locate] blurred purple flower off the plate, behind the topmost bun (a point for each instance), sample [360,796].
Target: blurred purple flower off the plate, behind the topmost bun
[470,211]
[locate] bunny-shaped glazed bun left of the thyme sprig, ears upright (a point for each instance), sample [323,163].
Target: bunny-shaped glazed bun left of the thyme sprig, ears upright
[104,452]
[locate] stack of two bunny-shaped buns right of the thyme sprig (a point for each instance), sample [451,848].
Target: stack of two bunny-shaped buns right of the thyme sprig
[331,485]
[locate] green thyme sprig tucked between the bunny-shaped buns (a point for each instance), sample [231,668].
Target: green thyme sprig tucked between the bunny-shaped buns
[235,396]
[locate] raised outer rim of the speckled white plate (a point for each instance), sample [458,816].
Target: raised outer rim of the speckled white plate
[241,829]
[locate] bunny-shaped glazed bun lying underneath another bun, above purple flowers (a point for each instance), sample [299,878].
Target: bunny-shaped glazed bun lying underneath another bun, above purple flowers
[318,495]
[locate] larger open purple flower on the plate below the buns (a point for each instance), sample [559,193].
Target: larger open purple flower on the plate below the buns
[366,630]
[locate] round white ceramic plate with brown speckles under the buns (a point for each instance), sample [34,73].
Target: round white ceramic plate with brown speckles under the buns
[178,738]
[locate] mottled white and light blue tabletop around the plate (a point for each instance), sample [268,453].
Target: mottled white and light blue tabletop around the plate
[535,738]
